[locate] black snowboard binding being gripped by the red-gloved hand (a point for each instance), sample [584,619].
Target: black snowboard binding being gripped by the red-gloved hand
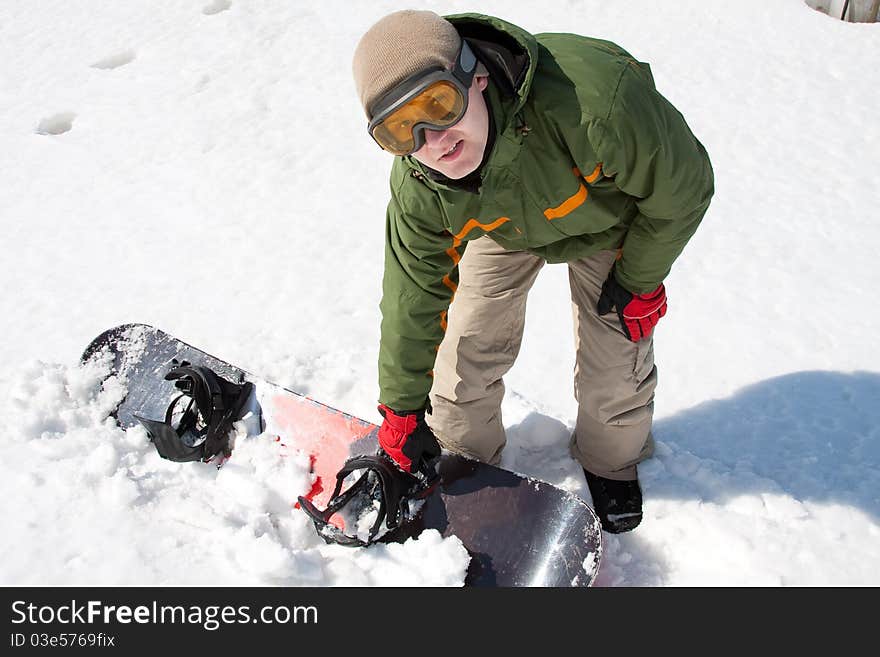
[382,488]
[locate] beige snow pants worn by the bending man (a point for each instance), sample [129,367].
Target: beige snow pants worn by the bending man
[614,378]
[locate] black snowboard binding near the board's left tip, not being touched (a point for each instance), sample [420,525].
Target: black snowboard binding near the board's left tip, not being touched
[198,422]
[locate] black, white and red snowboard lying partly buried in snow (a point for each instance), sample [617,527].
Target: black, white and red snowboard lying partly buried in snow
[518,531]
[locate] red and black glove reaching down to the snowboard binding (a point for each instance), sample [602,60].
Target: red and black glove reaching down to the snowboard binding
[408,440]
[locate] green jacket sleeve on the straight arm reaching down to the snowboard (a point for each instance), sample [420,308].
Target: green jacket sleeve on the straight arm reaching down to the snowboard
[421,275]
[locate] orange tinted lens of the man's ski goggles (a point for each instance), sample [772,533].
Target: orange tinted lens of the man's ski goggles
[441,104]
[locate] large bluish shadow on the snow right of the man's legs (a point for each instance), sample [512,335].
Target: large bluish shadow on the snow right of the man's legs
[812,435]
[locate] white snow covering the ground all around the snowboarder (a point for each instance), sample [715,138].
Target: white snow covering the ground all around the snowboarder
[203,167]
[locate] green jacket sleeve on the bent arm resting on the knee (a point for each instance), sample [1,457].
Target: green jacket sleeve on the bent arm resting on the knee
[647,146]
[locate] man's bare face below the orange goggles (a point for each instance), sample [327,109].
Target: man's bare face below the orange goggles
[458,151]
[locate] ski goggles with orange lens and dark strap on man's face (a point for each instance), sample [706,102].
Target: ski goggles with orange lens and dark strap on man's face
[435,99]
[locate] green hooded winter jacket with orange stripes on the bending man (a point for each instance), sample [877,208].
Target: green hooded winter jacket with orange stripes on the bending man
[587,156]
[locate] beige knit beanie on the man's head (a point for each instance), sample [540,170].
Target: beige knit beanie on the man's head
[398,46]
